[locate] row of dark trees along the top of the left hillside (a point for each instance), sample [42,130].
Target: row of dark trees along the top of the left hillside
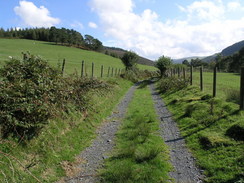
[62,36]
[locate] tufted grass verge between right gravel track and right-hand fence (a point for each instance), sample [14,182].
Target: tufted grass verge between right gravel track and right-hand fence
[213,130]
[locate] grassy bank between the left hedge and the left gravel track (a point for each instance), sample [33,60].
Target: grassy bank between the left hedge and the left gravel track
[49,156]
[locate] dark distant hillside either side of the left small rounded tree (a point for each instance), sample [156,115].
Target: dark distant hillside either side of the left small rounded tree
[118,52]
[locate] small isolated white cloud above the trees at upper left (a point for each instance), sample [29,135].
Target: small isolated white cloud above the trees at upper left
[33,16]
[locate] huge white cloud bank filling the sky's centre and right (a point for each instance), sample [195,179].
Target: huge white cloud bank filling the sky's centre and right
[205,30]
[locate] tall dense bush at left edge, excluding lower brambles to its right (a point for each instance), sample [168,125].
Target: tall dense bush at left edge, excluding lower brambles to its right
[26,95]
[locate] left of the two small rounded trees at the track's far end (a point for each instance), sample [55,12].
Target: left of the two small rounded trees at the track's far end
[129,59]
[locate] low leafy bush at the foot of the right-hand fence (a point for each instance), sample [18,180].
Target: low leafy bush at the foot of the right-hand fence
[172,84]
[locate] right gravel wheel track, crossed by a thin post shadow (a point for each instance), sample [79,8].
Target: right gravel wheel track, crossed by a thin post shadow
[185,170]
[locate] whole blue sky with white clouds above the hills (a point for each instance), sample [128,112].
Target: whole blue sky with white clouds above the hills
[151,28]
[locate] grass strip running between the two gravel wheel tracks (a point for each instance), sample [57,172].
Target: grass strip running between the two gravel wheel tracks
[140,154]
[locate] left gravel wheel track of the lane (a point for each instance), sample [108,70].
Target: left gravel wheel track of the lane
[94,155]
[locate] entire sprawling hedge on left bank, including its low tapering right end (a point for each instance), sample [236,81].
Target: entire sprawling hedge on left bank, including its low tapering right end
[31,92]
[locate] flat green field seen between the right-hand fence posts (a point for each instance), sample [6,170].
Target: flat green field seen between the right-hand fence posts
[226,83]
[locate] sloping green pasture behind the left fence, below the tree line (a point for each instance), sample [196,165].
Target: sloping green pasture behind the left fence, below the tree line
[55,55]
